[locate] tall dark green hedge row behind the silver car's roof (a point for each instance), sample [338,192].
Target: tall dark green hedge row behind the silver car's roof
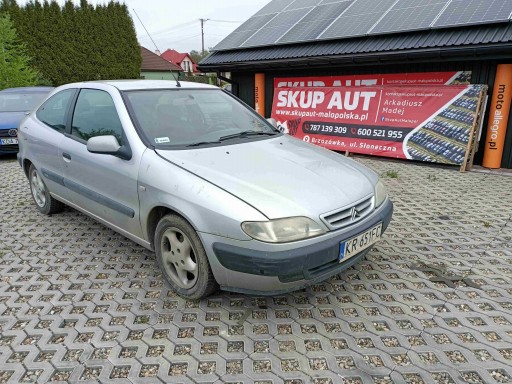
[73,43]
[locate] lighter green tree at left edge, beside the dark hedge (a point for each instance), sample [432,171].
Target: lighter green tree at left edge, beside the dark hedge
[14,62]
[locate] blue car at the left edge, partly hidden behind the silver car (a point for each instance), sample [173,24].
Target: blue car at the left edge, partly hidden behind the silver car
[14,103]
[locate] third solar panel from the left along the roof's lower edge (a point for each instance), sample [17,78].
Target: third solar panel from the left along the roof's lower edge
[314,22]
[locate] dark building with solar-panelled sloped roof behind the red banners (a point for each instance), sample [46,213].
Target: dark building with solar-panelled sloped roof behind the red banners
[294,41]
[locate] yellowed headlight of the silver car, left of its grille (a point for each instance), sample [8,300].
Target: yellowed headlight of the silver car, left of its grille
[282,230]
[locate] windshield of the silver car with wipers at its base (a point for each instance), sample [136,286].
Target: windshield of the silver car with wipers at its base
[194,117]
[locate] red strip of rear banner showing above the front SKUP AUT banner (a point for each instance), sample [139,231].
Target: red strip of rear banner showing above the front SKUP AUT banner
[419,78]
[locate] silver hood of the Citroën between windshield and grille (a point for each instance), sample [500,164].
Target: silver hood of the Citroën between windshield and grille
[281,177]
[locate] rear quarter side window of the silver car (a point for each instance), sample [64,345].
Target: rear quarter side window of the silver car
[54,111]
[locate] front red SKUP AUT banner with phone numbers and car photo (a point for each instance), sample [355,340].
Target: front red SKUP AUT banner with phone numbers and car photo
[427,122]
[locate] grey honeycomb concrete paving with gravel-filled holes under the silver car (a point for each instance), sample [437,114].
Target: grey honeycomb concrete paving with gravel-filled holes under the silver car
[431,303]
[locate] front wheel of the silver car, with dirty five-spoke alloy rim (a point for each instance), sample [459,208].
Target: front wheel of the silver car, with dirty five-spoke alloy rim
[182,258]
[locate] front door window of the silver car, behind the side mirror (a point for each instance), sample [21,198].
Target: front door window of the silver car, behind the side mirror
[96,115]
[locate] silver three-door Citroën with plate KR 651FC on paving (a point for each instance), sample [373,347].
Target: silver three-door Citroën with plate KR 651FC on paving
[187,170]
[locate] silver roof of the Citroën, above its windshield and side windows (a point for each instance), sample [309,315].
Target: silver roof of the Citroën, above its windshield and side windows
[128,85]
